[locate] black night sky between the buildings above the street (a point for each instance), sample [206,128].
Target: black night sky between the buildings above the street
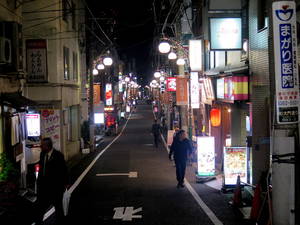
[133,29]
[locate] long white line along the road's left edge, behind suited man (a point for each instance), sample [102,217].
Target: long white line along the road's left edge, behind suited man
[80,178]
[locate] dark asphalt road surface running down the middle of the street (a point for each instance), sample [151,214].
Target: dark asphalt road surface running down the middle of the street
[131,182]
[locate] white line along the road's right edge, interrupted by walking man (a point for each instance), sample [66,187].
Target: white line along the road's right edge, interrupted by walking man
[200,202]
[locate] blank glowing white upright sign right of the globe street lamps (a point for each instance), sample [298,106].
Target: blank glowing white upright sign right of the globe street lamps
[195,55]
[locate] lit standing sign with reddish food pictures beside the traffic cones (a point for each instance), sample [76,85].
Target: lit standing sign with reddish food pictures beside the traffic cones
[235,164]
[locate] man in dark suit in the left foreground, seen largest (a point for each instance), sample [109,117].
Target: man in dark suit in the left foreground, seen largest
[51,182]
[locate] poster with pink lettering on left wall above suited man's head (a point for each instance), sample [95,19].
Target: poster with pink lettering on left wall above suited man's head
[50,123]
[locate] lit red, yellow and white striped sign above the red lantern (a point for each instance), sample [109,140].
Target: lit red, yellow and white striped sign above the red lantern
[232,88]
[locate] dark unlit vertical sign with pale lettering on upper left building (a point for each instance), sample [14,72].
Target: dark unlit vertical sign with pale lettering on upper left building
[36,56]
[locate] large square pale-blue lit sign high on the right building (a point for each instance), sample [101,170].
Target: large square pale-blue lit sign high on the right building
[226,34]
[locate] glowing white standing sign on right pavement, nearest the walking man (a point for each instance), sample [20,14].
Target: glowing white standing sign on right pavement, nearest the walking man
[206,156]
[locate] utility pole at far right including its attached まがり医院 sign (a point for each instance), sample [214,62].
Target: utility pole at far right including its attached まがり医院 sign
[284,98]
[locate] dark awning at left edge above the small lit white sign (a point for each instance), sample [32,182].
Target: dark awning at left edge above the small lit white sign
[16,100]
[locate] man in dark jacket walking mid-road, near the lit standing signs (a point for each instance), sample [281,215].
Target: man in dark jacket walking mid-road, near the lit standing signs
[181,148]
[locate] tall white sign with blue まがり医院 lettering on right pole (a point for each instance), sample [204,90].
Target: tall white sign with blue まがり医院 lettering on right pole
[286,68]
